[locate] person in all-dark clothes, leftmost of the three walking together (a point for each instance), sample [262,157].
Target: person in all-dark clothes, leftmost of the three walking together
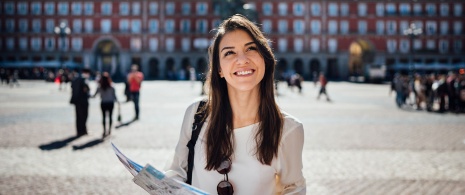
[80,98]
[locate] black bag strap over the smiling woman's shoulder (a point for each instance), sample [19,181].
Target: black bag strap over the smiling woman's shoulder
[199,118]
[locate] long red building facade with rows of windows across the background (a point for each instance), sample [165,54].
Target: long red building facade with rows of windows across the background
[166,37]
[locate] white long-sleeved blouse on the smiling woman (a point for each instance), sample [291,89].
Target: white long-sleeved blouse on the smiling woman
[247,175]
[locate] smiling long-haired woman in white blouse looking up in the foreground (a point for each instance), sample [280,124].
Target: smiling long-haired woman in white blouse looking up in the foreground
[244,129]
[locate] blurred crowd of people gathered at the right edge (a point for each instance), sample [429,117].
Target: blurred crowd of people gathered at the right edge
[433,92]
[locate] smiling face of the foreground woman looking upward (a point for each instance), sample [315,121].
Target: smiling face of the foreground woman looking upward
[240,61]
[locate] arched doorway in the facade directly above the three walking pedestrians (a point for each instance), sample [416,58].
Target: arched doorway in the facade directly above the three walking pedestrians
[107,58]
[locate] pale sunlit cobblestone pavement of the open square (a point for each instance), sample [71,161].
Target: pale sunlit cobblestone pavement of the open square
[360,143]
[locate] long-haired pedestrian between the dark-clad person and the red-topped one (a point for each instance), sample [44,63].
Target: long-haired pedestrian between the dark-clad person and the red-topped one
[108,99]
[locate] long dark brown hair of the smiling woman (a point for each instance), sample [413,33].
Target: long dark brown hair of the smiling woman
[219,133]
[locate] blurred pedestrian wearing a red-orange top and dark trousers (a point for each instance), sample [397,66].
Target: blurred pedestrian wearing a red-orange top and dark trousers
[135,79]
